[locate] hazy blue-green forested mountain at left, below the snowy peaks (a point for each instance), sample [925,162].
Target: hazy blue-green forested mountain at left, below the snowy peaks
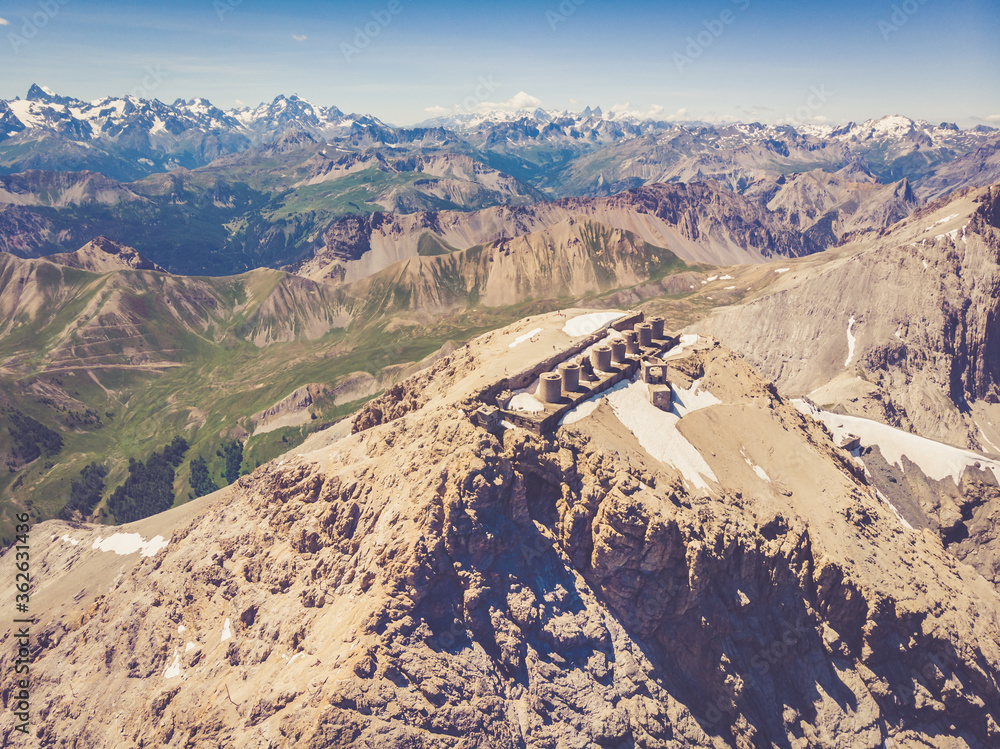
[267,207]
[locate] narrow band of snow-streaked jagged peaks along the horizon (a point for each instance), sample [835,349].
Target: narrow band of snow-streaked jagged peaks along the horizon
[140,122]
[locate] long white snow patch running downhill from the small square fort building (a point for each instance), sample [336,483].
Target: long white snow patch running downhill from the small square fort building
[657,432]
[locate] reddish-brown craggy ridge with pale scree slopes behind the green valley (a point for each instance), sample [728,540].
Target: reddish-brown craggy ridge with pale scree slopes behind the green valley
[701,222]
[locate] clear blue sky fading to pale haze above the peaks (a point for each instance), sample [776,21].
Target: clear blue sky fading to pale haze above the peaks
[730,59]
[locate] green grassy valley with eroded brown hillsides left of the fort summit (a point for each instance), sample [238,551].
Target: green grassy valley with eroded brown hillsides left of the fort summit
[120,363]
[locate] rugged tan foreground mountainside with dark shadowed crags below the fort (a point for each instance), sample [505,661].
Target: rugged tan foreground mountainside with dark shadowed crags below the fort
[426,583]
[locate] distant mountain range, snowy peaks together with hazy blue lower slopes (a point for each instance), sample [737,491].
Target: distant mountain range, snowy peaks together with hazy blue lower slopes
[587,153]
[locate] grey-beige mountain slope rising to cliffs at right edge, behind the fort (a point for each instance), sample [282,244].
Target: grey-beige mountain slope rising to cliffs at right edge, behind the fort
[909,313]
